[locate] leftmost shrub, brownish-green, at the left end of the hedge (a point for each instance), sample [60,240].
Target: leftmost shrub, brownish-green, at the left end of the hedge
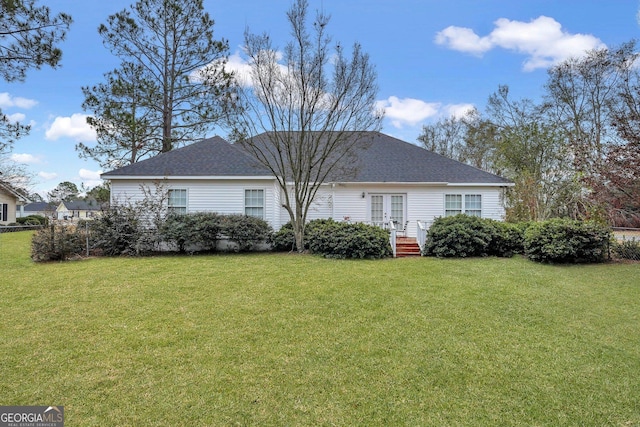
[57,243]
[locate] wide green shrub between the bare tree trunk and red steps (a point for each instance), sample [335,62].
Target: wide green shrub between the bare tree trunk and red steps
[344,240]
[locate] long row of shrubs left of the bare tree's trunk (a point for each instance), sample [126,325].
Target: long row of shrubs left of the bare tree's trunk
[122,231]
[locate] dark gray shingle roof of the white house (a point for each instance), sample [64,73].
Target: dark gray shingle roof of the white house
[385,159]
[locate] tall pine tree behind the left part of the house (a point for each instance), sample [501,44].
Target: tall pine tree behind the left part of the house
[171,87]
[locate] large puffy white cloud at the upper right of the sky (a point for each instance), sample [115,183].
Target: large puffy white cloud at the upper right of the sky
[543,41]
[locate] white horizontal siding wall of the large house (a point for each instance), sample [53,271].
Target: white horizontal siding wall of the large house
[339,201]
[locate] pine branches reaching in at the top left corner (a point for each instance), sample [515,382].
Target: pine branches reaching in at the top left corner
[29,38]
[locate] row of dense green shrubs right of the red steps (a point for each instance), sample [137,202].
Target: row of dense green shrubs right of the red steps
[553,241]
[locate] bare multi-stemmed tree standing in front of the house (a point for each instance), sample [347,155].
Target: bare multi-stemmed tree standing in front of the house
[314,107]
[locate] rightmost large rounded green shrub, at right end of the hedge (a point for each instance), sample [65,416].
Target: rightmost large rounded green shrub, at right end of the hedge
[567,241]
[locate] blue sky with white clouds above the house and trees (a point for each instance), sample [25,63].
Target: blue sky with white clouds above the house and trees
[434,58]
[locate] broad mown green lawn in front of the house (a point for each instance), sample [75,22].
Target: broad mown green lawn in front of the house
[273,339]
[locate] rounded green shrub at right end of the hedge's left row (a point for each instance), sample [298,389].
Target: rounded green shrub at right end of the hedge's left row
[245,231]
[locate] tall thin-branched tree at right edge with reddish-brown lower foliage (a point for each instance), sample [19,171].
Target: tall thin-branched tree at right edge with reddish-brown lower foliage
[595,99]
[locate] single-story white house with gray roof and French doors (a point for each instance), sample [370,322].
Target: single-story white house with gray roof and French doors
[394,180]
